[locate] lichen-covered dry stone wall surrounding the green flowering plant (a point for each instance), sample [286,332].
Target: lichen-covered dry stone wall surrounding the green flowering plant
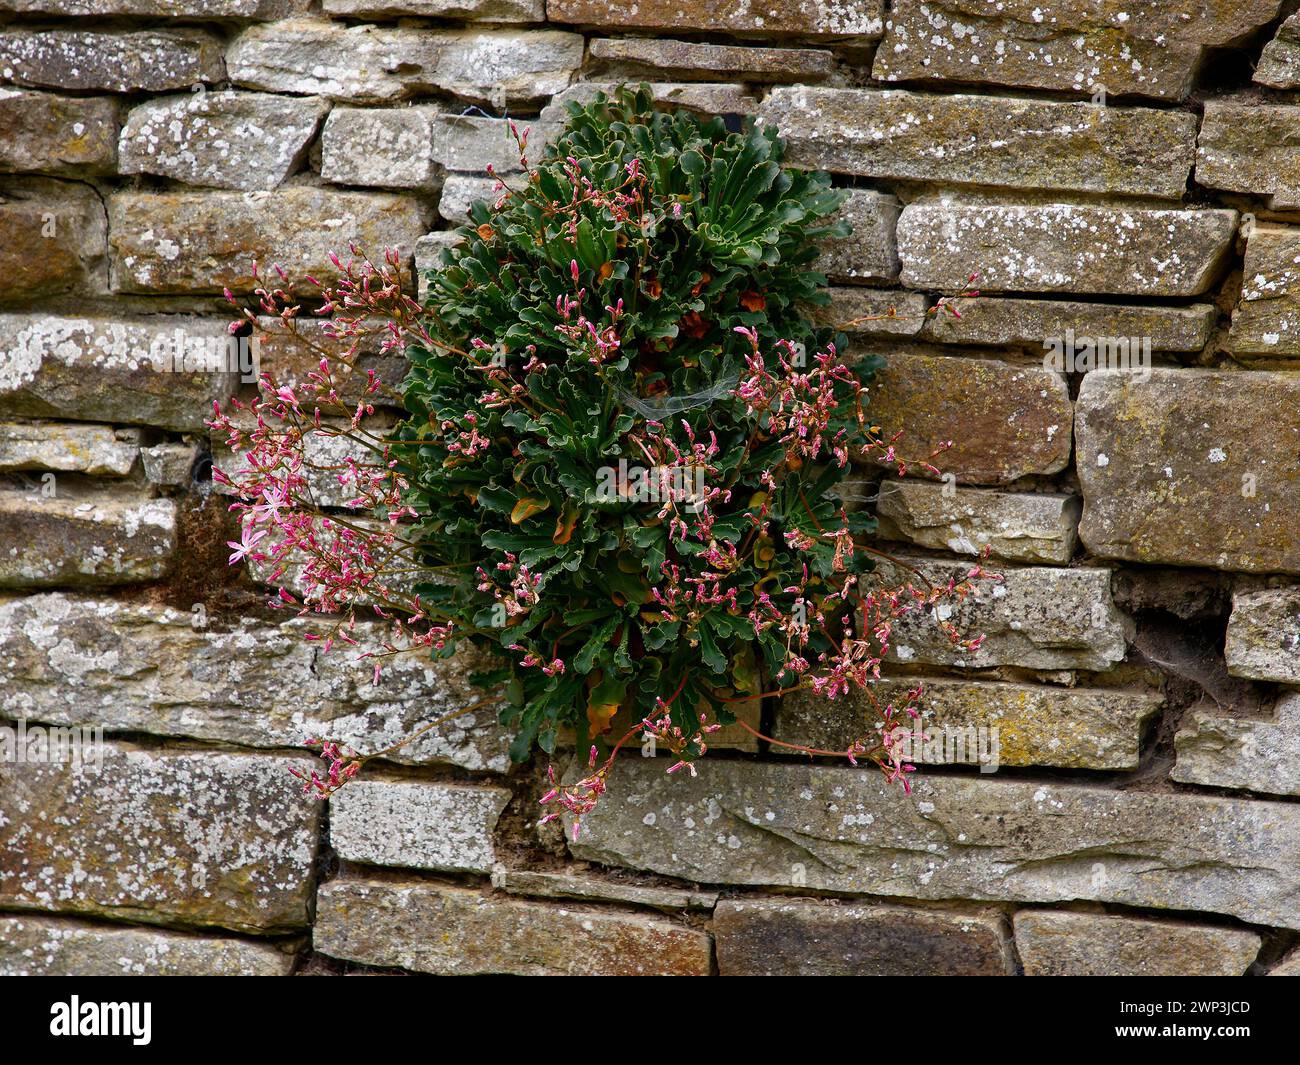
[1121,793]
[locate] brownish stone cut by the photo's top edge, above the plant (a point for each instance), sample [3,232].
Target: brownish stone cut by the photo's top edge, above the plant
[799,18]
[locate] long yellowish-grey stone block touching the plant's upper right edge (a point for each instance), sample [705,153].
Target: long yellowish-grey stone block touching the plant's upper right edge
[986,141]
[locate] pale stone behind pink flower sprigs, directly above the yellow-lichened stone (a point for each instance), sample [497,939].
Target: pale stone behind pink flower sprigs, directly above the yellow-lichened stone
[1035,617]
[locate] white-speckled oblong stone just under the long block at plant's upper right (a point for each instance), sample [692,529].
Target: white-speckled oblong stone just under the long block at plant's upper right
[1064,249]
